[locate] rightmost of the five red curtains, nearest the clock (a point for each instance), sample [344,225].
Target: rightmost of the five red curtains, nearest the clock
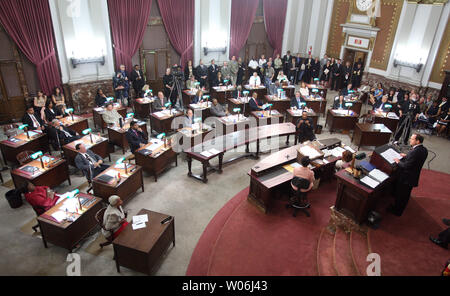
[275,18]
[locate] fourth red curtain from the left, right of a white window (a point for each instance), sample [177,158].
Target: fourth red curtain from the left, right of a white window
[243,14]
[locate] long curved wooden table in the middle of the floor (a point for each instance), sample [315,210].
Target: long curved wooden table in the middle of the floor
[230,141]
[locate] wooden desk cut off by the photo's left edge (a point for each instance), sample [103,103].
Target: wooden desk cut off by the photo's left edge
[10,149]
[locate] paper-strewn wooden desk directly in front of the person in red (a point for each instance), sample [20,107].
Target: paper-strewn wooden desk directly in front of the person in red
[68,234]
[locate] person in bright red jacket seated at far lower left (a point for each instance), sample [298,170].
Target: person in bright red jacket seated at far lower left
[41,198]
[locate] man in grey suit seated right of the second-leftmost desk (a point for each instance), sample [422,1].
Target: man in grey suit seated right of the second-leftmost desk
[88,162]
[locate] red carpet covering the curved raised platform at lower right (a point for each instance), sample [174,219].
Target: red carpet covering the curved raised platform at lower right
[241,241]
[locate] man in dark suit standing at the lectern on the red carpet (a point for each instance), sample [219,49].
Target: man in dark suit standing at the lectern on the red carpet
[409,168]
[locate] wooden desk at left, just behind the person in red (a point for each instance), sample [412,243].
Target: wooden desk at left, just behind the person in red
[52,176]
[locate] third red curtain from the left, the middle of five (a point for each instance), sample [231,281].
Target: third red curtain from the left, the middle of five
[178,18]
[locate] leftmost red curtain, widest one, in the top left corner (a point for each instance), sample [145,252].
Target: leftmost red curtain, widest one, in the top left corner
[29,24]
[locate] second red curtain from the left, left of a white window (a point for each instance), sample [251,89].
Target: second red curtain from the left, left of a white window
[129,21]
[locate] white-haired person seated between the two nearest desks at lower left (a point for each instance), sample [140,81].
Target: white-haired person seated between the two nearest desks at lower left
[114,219]
